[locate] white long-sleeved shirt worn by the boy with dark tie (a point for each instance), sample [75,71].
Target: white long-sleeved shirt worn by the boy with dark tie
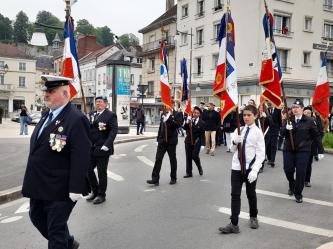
[254,147]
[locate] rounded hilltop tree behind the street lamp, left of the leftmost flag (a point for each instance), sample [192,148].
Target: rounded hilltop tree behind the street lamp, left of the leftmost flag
[48,18]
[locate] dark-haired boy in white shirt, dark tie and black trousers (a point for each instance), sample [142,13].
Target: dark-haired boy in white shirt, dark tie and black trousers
[252,143]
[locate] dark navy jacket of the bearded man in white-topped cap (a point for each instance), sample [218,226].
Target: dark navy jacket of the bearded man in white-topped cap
[52,174]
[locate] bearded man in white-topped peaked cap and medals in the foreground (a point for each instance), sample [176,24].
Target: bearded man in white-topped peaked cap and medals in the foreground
[55,176]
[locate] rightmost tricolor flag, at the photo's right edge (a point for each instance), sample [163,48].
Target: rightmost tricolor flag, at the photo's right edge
[320,100]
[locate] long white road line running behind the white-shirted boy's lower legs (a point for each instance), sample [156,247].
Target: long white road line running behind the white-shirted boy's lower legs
[284,224]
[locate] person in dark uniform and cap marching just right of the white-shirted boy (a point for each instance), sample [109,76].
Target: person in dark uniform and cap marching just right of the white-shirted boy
[298,147]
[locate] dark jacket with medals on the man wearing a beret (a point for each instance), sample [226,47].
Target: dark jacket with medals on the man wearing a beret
[103,131]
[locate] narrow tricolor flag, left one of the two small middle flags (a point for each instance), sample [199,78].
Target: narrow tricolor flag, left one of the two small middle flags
[164,79]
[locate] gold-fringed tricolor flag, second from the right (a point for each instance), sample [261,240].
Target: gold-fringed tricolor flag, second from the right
[271,74]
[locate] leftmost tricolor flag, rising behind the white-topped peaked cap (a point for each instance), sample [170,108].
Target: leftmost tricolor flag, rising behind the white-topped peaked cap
[70,66]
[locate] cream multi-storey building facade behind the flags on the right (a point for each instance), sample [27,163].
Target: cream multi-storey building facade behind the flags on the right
[301,31]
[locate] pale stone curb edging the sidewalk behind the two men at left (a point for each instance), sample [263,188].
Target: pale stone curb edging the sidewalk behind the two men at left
[15,193]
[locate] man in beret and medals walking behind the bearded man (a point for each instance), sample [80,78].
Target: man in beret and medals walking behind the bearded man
[103,131]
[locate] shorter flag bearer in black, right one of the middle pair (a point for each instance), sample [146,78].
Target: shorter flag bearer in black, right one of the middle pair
[194,127]
